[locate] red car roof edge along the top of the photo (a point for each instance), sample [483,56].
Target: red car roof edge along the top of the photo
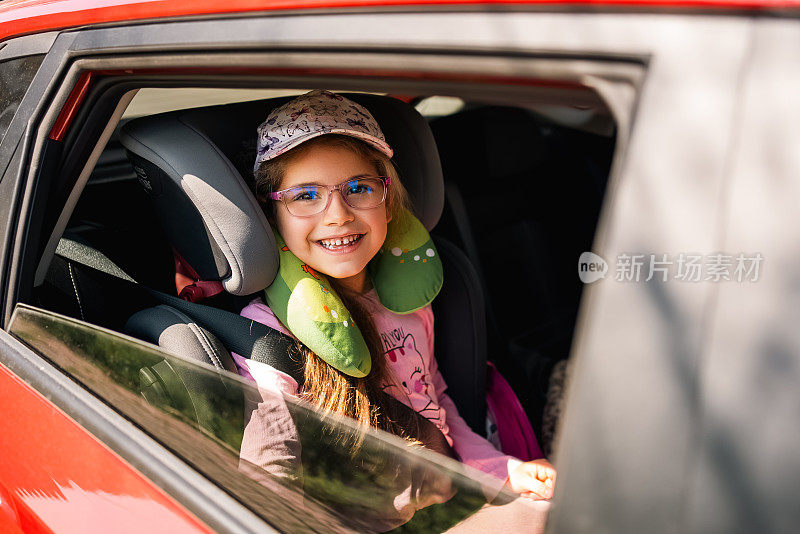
[20,17]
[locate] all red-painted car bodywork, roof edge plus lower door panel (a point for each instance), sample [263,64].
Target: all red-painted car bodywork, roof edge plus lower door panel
[54,475]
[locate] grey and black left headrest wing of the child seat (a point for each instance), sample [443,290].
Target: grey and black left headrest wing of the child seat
[207,210]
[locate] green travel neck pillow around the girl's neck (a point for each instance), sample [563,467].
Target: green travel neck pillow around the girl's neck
[406,274]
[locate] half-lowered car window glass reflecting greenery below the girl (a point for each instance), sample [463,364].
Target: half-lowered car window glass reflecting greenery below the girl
[200,415]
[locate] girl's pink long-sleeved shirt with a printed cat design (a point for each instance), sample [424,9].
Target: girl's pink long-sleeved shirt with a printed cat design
[408,346]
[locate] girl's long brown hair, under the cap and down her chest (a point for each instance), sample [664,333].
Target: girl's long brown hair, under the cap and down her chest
[327,388]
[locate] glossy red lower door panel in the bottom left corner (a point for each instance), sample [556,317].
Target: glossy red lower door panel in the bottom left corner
[55,477]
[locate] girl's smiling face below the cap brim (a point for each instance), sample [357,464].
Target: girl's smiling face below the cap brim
[331,165]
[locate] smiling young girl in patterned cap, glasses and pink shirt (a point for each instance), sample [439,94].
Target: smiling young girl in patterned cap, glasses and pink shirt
[317,155]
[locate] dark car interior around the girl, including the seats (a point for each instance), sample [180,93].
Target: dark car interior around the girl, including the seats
[515,201]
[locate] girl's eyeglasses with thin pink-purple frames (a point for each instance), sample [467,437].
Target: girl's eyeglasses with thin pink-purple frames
[312,199]
